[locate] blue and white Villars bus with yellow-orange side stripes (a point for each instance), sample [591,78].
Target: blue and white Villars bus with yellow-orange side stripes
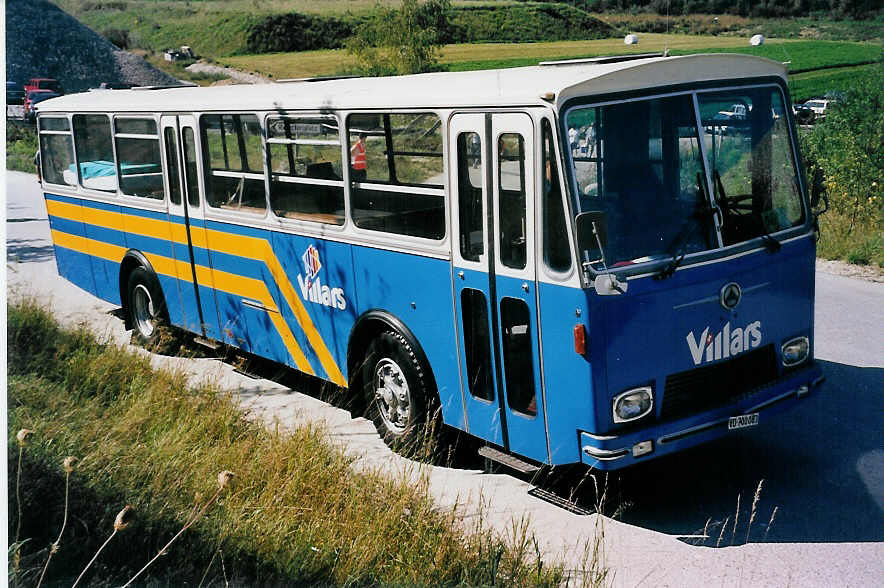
[600,261]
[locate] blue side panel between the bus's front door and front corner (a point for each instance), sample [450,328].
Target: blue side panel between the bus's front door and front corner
[567,375]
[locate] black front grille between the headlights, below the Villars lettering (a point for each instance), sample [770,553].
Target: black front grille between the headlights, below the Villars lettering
[709,387]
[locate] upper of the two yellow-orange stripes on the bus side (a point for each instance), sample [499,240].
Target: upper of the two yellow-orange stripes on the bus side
[240,245]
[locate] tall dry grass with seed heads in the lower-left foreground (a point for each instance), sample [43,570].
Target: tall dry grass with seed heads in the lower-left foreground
[298,513]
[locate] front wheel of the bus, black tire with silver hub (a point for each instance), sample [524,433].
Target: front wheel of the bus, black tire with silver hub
[398,396]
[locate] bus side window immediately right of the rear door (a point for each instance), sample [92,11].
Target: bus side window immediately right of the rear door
[235,174]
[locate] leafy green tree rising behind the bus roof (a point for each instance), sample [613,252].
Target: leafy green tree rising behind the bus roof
[402,41]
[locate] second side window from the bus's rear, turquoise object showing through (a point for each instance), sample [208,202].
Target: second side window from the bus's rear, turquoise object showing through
[95,152]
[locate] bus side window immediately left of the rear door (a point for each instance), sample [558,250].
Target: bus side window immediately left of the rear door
[138,154]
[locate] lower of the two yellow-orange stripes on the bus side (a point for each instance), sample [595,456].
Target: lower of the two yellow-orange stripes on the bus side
[232,283]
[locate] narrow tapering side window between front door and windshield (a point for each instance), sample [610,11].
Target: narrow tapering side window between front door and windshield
[556,250]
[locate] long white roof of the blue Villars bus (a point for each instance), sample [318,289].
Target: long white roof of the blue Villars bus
[522,86]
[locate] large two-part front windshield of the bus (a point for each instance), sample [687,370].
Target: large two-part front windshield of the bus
[644,163]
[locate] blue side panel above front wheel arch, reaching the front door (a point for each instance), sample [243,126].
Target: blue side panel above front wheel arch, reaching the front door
[416,290]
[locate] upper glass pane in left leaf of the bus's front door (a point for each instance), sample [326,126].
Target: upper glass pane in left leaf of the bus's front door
[469,195]
